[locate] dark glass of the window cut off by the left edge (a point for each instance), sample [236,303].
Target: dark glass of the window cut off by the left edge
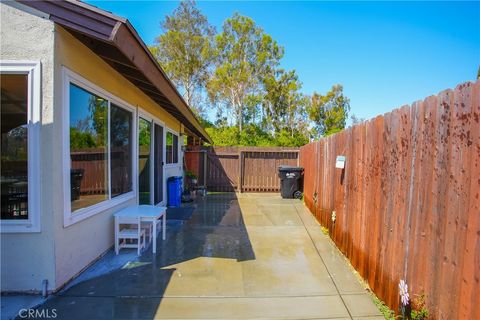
[14,144]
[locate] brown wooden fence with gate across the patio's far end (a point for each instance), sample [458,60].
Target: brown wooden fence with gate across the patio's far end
[242,169]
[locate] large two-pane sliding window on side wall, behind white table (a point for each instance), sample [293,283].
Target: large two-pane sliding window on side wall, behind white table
[101,150]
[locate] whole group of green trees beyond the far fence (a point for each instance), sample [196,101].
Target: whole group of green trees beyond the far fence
[257,102]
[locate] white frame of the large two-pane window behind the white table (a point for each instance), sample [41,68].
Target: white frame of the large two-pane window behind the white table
[69,217]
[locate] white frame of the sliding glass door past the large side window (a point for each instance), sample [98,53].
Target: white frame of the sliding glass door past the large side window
[153,120]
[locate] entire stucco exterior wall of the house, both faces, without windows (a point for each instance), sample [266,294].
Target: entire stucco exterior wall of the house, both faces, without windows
[57,253]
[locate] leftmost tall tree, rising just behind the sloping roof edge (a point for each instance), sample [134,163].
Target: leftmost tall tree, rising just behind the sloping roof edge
[185,51]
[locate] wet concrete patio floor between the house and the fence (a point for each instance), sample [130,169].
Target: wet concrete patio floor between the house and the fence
[239,256]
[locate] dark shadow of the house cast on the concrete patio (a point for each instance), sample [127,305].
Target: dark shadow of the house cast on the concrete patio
[135,290]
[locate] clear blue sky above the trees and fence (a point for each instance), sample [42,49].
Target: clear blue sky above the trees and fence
[385,54]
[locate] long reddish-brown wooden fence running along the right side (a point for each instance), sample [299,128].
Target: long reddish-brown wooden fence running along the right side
[408,201]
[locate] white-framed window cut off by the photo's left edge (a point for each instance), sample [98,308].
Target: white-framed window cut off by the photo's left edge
[19,115]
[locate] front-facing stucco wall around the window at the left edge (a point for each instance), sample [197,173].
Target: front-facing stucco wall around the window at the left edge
[28,258]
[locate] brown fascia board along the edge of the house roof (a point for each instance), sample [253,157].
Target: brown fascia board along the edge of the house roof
[102,25]
